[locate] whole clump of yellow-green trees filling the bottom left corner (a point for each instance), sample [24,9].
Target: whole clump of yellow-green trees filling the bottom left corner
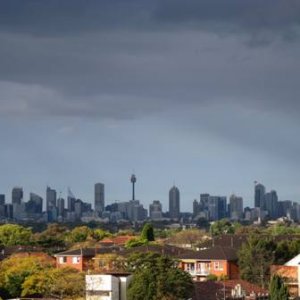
[37,276]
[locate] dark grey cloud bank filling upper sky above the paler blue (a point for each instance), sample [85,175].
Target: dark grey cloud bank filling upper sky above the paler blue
[131,59]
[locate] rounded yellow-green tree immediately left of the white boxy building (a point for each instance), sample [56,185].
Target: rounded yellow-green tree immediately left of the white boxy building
[59,283]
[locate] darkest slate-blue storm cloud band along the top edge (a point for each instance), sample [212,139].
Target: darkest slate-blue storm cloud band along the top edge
[57,17]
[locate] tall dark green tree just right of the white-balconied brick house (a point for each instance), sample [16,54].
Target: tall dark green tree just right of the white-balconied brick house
[255,258]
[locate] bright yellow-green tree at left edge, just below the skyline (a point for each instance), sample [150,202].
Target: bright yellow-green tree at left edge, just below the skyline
[12,234]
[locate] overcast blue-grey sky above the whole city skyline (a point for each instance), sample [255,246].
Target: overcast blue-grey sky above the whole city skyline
[203,94]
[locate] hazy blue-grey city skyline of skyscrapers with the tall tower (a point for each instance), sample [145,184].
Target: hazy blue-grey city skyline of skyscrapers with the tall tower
[209,207]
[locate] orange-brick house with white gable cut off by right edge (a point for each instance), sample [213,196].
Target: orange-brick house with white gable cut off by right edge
[290,272]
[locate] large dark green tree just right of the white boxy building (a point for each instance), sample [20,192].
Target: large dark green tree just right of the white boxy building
[157,277]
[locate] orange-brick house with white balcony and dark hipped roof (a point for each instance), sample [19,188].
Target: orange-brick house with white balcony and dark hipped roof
[219,261]
